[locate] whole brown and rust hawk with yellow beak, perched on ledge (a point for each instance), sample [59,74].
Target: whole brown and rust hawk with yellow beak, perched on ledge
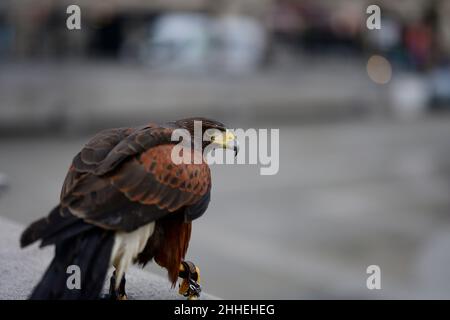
[125,201]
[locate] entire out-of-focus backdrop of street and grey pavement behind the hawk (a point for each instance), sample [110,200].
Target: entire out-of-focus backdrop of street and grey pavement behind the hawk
[363,118]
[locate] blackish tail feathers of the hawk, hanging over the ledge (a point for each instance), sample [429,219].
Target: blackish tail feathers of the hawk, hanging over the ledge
[91,252]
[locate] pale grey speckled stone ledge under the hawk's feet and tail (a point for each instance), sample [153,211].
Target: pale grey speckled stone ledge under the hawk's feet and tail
[21,269]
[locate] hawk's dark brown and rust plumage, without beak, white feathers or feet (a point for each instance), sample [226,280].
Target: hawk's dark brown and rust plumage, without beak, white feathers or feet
[124,179]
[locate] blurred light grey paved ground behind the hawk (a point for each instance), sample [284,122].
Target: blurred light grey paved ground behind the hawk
[347,196]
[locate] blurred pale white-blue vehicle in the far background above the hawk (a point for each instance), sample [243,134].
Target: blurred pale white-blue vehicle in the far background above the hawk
[190,41]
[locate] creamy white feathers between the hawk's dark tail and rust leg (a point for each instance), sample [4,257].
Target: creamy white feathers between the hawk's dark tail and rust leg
[127,246]
